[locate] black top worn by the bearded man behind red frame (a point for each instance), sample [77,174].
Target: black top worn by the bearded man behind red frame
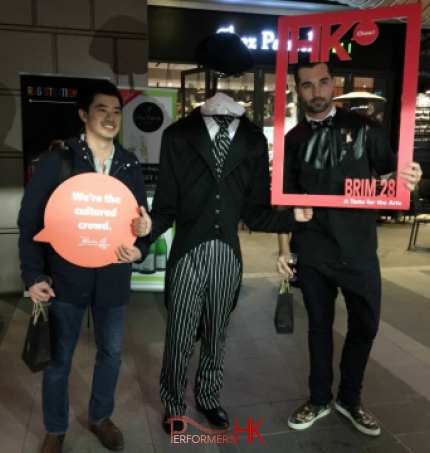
[318,162]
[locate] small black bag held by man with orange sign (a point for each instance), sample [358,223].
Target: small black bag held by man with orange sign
[37,347]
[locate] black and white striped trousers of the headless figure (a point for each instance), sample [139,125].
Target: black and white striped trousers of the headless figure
[203,284]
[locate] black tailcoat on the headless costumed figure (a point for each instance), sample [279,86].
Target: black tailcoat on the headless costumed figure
[204,208]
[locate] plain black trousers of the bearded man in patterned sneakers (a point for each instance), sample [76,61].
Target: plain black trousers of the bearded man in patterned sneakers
[361,288]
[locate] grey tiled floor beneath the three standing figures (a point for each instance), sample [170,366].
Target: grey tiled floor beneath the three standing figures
[265,373]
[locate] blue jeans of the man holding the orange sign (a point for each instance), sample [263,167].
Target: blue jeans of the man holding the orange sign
[65,323]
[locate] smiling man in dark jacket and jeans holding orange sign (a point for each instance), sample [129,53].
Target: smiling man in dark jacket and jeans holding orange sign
[70,289]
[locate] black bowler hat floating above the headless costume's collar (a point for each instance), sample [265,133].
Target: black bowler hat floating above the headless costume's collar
[225,53]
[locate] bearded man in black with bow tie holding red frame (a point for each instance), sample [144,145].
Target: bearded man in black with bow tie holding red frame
[337,248]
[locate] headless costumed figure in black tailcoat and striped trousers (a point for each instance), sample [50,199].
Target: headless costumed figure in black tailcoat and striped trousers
[205,267]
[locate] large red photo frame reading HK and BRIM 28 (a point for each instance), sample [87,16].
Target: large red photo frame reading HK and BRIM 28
[322,35]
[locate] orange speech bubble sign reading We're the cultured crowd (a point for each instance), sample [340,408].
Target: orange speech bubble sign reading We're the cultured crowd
[88,217]
